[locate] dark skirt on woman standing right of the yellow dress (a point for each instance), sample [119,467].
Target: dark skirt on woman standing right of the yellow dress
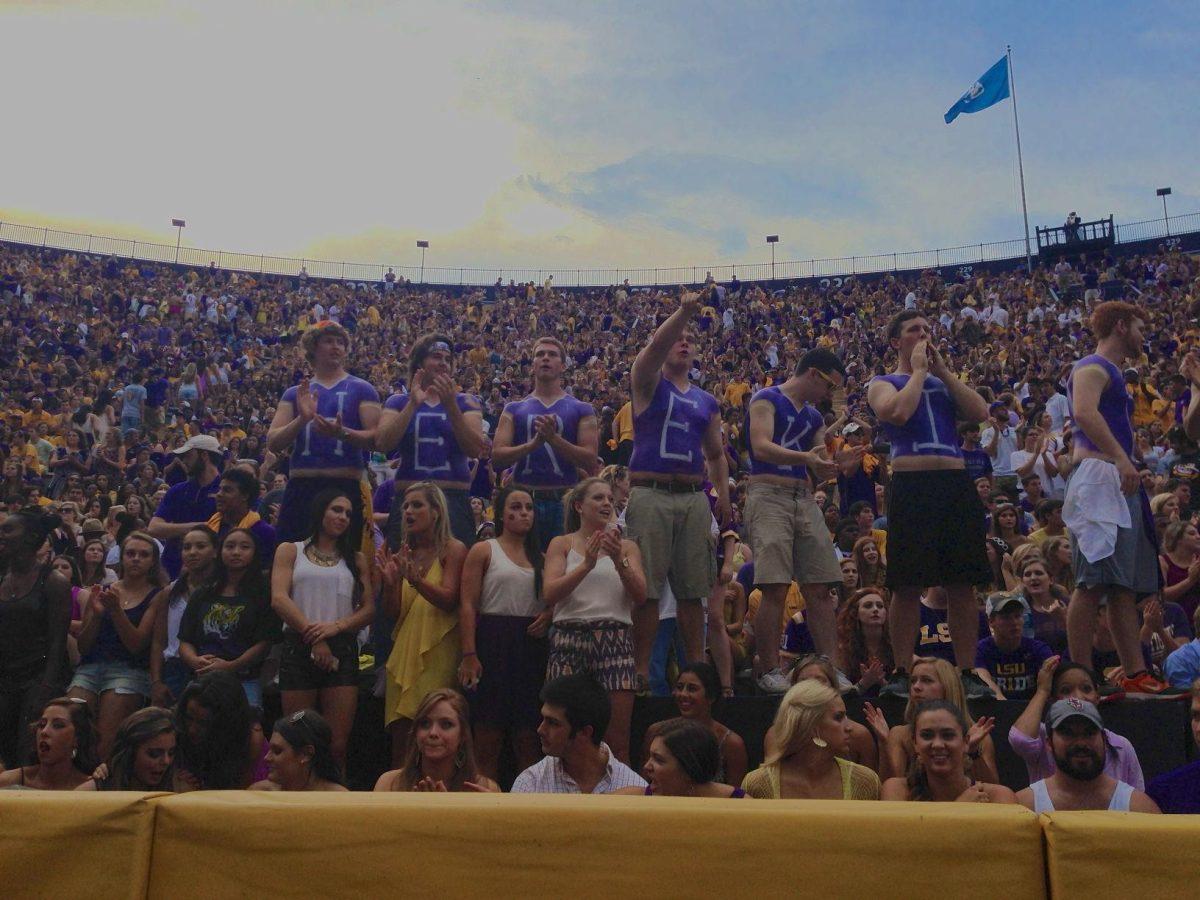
[514,668]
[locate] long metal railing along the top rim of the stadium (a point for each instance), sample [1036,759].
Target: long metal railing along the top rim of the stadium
[263,265]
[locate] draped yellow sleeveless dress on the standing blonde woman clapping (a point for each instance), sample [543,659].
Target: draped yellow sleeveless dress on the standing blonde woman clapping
[425,655]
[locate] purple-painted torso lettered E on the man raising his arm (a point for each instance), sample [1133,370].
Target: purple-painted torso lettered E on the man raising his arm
[670,433]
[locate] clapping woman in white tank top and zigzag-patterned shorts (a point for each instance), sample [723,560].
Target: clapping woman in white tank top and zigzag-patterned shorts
[595,580]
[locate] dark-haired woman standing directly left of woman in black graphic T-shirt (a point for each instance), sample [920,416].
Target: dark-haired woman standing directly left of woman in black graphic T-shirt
[169,673]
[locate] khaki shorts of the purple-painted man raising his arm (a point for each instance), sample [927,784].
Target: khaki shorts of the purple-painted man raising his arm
[675,533]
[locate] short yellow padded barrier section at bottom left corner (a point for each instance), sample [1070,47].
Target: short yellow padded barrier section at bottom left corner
[75,845]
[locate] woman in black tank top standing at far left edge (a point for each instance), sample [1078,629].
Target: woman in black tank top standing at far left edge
[35,615]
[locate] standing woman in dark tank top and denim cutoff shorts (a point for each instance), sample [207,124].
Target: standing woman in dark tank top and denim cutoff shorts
[115,640]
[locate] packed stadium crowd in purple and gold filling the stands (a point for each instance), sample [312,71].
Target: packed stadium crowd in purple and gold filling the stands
[509,512]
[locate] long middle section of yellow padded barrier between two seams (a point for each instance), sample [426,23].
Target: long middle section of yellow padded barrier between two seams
[322,845]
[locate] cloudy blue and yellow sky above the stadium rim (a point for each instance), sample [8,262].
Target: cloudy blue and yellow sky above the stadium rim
[577,135]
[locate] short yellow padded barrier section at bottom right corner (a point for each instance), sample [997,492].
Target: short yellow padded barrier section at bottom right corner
[1121,855]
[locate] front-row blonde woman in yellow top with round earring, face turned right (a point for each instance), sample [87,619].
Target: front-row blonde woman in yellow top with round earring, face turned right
[812,733]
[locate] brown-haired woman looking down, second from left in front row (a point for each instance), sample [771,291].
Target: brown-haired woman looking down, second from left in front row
[143,755]
